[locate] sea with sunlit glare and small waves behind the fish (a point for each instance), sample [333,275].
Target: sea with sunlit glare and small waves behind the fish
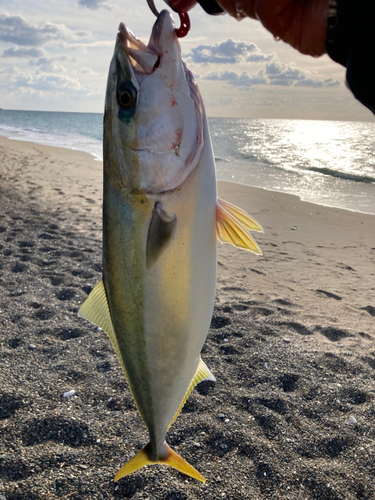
[329,163]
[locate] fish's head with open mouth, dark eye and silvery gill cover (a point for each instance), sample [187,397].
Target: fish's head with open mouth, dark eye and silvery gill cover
[153,125]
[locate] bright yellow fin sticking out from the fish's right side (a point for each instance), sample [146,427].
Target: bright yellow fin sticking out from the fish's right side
[232,226]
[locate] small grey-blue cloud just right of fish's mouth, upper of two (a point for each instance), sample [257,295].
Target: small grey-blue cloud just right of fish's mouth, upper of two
[228,52]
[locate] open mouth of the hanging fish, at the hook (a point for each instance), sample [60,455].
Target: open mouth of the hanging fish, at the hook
[145,59]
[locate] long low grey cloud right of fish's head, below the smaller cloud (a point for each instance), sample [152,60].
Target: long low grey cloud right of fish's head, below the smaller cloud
[275,73]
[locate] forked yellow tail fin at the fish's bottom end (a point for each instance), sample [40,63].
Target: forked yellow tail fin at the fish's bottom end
[141,459]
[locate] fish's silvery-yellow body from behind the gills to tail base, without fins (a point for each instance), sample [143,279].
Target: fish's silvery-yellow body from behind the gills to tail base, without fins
[161,314]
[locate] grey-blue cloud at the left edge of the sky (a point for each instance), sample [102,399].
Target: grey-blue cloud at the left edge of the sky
[20,31]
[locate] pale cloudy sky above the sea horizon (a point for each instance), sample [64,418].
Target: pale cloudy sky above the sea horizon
[54,56]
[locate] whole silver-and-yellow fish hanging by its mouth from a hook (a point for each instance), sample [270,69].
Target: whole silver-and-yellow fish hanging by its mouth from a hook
[161,221]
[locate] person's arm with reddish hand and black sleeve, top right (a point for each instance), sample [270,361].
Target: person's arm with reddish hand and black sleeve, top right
[342,28]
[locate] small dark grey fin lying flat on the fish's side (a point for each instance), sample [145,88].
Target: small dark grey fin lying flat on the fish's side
[160,231]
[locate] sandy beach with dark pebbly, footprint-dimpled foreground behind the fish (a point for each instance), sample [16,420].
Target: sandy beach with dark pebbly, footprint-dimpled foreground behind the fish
[291,344]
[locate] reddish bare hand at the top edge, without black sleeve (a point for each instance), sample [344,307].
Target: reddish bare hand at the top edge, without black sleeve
[300,23]
